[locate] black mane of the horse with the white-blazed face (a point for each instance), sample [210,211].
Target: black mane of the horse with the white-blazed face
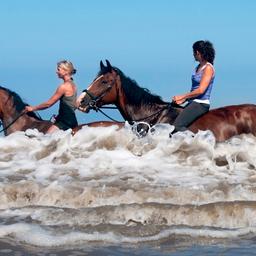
[136,94]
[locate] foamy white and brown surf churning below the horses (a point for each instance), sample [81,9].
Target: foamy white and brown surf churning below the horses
[108,185]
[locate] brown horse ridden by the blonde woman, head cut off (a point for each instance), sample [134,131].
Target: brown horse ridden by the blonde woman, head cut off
[14,118]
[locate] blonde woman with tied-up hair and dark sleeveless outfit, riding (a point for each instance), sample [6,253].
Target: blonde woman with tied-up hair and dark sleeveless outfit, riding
[66,93]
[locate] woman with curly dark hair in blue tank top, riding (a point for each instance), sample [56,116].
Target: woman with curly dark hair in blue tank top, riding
[202,82]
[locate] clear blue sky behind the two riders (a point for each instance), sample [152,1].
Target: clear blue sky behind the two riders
[149,40]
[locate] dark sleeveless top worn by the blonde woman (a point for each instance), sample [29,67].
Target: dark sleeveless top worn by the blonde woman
[67,118]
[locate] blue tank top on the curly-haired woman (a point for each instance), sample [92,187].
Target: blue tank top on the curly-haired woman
[196,79]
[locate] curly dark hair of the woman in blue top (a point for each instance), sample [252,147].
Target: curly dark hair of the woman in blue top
[206,49]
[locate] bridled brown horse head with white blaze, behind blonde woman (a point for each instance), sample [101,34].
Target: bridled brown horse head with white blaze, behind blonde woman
[103,90]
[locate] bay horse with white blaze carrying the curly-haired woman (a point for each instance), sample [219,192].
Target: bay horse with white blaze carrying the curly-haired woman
[137,104]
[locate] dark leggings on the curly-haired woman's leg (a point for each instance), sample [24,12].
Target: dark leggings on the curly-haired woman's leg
[190,113]
